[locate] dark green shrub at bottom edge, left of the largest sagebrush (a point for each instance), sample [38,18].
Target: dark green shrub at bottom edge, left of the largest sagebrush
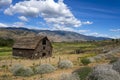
[83,72]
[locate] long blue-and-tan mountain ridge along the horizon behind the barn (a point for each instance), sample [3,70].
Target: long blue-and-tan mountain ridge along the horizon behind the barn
[56,36]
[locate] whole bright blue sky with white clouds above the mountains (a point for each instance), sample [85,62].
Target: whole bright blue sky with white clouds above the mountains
[89,17]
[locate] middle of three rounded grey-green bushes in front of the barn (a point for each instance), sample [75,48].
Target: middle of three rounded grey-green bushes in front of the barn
[44,68]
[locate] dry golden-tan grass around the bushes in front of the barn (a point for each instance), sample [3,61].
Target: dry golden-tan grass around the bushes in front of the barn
[53,60]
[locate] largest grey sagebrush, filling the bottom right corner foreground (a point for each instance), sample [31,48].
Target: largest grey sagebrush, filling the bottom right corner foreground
[103,72]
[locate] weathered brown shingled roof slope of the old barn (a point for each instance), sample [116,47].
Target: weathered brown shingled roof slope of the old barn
[28,42]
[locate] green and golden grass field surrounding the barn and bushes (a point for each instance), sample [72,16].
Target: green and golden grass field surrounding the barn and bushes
[61,51]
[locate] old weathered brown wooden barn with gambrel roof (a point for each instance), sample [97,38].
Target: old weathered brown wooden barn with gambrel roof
[32,47]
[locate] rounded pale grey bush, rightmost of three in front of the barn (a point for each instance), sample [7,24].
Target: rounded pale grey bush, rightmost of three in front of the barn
[65,64]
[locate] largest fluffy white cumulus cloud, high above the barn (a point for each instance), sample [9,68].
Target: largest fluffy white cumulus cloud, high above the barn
[56,13]
